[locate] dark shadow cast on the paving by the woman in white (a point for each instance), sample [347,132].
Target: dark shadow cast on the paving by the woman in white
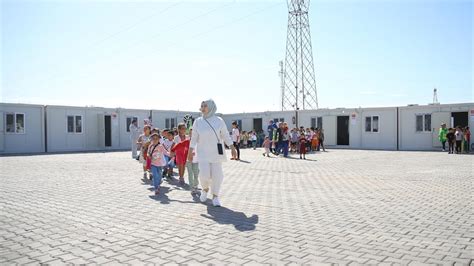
[224,215]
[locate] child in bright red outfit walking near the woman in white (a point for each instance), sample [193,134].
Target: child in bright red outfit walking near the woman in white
[180,150]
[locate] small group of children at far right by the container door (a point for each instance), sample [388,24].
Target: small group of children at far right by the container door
[458,139]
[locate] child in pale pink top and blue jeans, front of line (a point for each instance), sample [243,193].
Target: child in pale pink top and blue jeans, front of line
[157,152]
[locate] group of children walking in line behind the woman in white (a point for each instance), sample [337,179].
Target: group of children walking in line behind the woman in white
[161,151]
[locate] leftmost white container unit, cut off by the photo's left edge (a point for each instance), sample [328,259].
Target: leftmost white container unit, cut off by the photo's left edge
[22,128]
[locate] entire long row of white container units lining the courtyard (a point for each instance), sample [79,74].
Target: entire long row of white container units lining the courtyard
[26,128]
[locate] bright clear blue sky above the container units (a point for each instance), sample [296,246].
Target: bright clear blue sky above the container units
[173,54]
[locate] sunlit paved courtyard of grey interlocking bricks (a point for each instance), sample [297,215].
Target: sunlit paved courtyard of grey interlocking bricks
[343,206]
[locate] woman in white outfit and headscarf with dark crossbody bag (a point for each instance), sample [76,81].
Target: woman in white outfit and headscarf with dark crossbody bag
[209,136]
